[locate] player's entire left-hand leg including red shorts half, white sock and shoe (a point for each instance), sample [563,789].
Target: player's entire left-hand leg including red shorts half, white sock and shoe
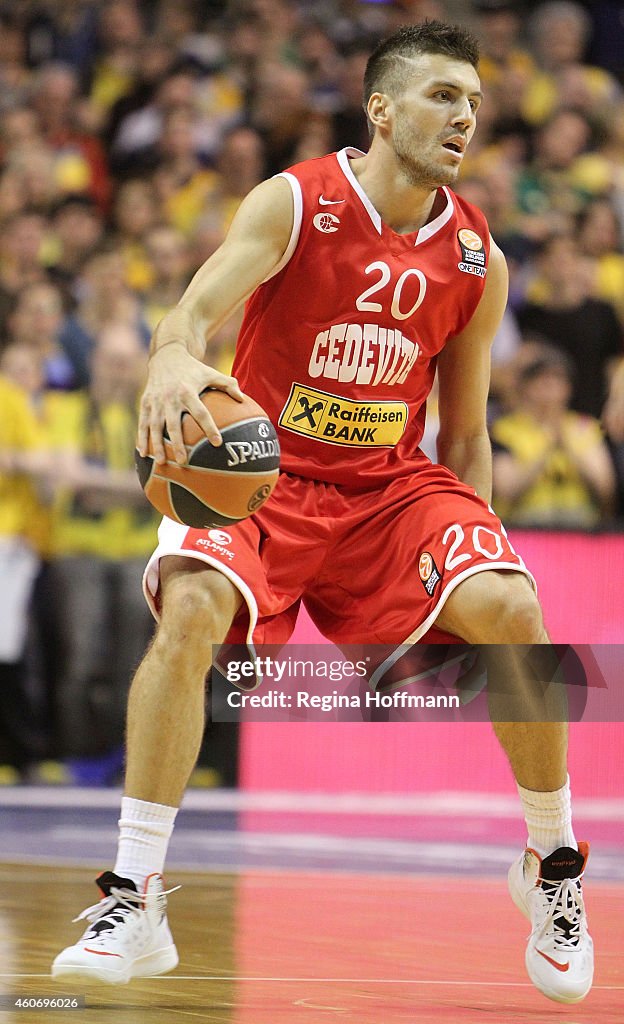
[195,584]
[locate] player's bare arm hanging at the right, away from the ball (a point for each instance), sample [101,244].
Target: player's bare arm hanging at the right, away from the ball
[464,370]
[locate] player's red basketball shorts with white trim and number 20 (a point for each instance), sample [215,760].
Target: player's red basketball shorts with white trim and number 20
[371,567]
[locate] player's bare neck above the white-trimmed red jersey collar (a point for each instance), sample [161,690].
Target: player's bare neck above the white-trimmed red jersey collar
[402,206]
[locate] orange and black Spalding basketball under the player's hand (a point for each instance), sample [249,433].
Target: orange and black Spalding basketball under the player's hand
[221,486]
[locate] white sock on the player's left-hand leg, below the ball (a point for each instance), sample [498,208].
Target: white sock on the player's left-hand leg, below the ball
[145,831]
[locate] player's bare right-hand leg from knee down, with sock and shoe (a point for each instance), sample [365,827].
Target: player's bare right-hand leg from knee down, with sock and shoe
[502,613]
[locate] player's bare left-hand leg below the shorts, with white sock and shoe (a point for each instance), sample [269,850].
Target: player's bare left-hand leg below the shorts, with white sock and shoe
[129,935]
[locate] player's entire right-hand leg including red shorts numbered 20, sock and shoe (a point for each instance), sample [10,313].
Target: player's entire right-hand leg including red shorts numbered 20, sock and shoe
[439,556]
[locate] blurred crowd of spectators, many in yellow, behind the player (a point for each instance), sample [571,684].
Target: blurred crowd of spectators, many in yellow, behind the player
[130,134]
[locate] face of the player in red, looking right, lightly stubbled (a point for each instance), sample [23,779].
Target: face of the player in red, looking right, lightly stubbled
[435,120]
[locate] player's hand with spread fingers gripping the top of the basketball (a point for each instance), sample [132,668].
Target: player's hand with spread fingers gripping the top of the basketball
[176,380]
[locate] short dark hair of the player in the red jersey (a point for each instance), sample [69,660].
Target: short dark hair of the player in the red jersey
[386,74]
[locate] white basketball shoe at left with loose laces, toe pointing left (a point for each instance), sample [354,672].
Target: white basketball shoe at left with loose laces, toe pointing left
[129,935]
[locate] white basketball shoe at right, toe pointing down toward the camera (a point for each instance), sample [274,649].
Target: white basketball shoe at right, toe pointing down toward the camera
[560,952]
